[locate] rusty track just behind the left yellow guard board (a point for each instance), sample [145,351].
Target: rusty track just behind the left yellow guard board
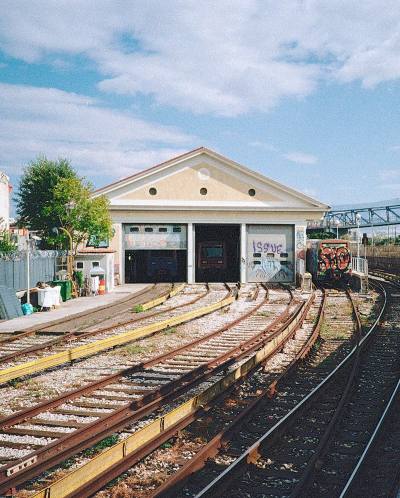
[29,345]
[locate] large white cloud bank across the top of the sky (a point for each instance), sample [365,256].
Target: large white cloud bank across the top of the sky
[224,58]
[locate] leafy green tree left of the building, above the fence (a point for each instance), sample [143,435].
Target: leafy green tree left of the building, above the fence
[52,195]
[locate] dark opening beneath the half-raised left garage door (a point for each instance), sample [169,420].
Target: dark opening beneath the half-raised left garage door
[144,266]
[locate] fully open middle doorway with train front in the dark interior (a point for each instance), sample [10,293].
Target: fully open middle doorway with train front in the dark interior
[217,253]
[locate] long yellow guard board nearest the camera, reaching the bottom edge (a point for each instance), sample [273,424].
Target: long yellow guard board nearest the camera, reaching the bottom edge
[114,455]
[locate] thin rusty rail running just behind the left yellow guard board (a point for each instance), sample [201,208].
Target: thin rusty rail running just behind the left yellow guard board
[78,335]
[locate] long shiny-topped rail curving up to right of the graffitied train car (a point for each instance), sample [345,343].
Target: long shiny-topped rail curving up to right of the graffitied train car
[212,488]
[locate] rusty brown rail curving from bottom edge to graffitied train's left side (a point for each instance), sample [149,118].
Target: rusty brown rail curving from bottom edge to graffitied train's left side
[210,450]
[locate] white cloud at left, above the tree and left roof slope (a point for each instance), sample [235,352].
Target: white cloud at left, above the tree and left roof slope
[98,140]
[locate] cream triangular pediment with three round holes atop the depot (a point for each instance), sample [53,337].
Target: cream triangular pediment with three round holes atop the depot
[203,178]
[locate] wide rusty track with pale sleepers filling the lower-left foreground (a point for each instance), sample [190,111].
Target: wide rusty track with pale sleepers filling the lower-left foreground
[41,436]
